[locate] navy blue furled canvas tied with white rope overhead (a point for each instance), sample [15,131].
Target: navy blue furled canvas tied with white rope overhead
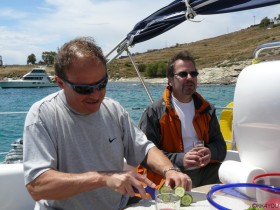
[180,10]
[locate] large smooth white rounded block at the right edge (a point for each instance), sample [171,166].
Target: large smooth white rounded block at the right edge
[256,115]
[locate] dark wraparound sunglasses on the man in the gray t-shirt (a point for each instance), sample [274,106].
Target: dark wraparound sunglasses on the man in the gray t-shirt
[86,89]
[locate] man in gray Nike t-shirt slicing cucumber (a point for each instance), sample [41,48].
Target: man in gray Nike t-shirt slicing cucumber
[76,139]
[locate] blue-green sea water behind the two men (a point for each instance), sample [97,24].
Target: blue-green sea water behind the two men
[14,103]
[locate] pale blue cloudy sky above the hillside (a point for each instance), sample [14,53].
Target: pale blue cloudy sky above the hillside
[35,26]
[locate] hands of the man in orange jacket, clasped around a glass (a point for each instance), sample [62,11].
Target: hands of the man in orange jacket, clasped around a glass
[197,157]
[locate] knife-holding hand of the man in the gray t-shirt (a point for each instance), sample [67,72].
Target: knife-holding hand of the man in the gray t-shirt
[123,182]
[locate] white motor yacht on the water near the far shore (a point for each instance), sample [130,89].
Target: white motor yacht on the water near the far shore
[37,77]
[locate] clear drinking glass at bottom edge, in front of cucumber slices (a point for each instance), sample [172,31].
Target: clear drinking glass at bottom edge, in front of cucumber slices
[168,201]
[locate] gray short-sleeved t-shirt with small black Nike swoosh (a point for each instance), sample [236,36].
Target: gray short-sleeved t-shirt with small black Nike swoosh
[56,137]
